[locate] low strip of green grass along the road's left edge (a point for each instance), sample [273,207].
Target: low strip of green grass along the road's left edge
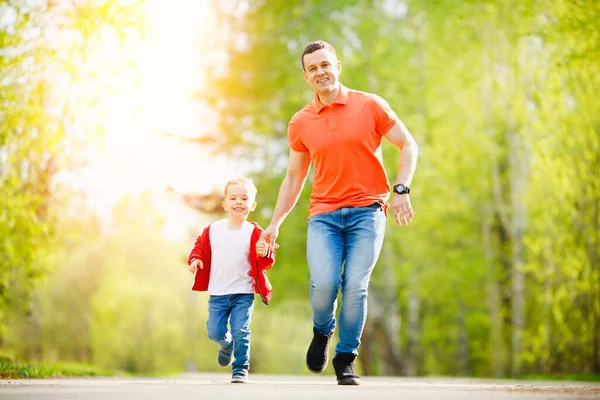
[10,369]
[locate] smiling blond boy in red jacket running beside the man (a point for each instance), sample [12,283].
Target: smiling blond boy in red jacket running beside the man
[230,263]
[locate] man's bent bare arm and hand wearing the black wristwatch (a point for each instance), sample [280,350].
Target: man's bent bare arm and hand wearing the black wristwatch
[400,137]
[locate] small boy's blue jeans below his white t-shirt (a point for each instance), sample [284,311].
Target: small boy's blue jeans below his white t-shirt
[237,308]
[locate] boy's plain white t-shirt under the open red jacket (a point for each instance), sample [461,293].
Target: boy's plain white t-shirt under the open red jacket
[230,265]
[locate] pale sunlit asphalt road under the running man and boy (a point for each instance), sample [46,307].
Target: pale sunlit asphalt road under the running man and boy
[271,387]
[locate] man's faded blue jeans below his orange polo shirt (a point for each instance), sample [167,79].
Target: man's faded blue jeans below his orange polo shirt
[342,249]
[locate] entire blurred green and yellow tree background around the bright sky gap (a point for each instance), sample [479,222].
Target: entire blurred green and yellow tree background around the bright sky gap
[499,274]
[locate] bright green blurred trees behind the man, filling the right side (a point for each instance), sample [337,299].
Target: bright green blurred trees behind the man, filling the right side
[499,97]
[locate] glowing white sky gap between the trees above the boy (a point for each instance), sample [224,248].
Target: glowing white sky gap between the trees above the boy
[153,94]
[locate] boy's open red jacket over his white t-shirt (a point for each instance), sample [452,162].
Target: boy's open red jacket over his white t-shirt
[258,265]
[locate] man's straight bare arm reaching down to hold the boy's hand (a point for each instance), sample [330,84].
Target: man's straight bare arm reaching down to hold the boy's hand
[289,192]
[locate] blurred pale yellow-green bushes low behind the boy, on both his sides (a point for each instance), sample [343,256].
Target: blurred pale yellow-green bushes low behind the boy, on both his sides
[121,300]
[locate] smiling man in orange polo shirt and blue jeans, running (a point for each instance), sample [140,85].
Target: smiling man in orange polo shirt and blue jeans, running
[340,132]
